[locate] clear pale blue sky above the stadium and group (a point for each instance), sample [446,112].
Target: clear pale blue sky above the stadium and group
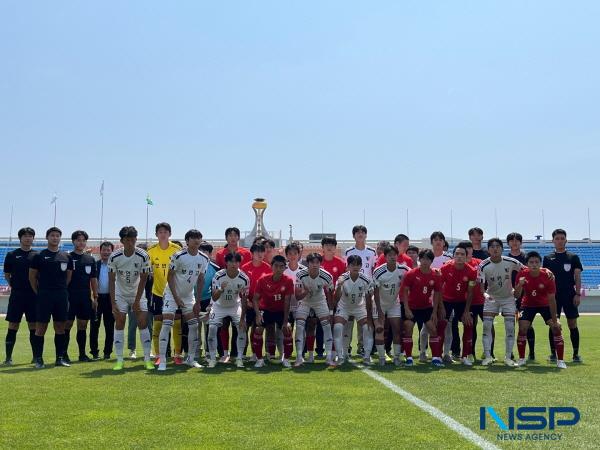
[337,105]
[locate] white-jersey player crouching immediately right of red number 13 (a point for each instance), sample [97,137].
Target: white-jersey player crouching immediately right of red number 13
[314,293]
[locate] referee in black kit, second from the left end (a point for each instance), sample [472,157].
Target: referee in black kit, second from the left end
[49,275]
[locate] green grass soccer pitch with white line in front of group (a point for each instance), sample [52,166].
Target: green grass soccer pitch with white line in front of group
[88,405]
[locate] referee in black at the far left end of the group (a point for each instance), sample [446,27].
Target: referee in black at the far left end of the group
[22,297]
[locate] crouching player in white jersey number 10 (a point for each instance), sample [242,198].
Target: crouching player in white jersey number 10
[229,292]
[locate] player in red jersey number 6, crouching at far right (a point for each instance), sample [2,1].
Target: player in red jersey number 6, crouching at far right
[538,288]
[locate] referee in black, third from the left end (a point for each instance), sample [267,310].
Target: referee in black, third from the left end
[83,293]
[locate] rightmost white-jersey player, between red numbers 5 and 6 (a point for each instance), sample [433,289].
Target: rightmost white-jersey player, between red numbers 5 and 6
[497,271]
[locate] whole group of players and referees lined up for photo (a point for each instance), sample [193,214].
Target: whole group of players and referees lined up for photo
[280,303]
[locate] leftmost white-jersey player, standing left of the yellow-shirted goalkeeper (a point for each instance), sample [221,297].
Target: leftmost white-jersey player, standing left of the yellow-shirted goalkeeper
[128,270]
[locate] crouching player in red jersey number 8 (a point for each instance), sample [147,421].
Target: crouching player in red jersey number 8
[418,287]
